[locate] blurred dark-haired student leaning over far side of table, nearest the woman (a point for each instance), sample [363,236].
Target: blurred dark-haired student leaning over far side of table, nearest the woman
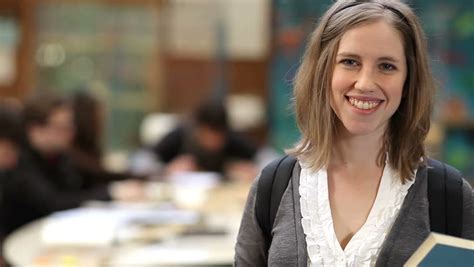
[205,144]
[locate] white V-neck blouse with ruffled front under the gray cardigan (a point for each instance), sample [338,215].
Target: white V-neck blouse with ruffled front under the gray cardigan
[364,247]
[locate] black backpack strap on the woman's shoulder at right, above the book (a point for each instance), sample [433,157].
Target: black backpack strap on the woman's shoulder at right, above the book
[445,198]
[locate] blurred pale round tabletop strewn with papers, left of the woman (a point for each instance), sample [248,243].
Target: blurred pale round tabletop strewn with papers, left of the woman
[139,234]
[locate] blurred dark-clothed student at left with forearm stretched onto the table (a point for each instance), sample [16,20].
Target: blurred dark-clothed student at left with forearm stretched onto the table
[45,180]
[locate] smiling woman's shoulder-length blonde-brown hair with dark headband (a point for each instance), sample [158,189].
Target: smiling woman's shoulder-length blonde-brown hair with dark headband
[408,127]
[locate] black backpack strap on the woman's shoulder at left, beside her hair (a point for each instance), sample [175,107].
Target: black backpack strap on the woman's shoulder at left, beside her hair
[271,185]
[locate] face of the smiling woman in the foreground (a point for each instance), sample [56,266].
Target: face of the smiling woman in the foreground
[369,73]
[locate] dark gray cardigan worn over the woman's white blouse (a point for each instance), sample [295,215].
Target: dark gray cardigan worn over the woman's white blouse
[288,247]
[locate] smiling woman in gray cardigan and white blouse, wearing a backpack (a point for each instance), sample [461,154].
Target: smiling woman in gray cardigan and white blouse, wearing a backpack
[358,193]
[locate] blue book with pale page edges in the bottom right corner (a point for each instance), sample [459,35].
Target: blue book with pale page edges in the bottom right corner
[443,250]
